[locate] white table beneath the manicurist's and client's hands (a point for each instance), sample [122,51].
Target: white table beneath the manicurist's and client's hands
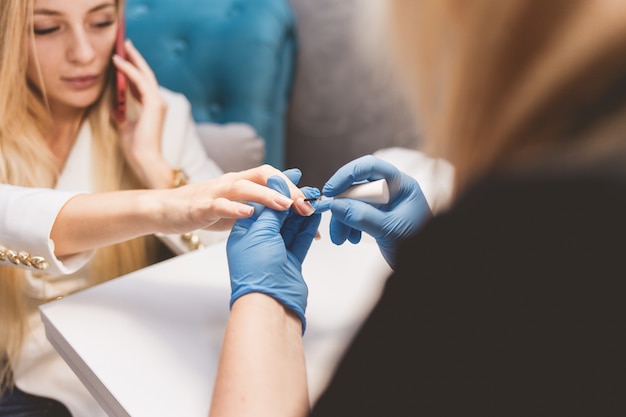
[147,343]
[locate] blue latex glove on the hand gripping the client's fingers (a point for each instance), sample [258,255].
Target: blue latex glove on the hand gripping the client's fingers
[266,251]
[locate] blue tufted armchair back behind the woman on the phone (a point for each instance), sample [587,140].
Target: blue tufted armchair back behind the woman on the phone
[233,59]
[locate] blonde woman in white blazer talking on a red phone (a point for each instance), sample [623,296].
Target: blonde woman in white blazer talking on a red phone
[80,194]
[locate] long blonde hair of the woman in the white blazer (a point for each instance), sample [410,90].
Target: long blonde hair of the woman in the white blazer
[26,160]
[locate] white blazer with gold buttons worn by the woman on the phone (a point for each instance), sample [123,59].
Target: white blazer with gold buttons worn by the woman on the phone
[26,219]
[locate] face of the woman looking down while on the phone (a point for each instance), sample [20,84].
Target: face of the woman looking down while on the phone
[73,43]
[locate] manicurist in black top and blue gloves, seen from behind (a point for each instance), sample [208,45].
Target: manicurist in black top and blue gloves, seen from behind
[509,303]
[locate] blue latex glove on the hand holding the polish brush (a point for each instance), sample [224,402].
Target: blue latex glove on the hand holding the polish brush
[389,223]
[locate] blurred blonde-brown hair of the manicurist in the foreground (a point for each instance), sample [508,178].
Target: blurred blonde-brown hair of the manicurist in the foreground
[500,84]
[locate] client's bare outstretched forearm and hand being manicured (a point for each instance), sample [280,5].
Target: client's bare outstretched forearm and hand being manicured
[89,221]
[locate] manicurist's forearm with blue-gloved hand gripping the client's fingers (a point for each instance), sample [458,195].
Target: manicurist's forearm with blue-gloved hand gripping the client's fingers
[262,368]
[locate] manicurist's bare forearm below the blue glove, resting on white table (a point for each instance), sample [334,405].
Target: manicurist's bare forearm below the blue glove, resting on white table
[262,368]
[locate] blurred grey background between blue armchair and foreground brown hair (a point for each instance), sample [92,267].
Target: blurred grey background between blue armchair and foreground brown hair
[342,105]
